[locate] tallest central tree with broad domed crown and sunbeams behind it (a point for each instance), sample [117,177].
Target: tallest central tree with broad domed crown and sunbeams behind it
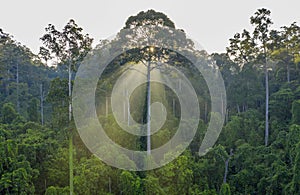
[149,55]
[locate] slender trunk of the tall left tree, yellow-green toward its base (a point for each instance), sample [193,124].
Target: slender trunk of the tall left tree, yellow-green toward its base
[71,132]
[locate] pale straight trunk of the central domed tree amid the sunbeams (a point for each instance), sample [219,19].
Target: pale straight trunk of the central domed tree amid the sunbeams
[148,109]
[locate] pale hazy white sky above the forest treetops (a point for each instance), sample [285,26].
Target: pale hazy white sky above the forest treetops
[211,23]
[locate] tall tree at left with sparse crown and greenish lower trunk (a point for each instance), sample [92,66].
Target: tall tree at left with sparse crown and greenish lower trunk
[68,47]
